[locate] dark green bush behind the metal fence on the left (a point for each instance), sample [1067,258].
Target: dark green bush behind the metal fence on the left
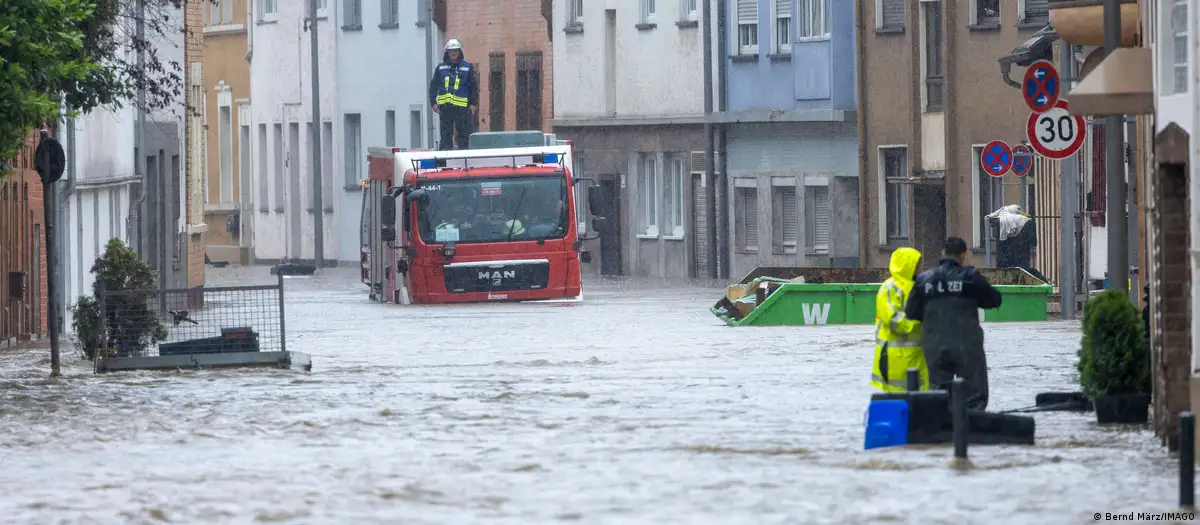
[118,317]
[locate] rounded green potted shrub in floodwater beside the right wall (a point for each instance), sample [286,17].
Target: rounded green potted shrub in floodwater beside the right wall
[1114,360]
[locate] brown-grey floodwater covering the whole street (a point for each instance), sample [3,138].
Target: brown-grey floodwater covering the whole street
[637,406]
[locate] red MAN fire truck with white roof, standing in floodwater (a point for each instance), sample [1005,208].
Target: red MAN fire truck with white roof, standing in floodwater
[496,222]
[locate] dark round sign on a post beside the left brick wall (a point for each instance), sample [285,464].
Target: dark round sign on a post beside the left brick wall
[50,162]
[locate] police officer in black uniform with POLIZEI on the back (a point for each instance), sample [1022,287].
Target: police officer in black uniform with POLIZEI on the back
[947,300]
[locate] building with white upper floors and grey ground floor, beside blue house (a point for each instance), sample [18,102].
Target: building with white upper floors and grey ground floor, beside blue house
[629,92]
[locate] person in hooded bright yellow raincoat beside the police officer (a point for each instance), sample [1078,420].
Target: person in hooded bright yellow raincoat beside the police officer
[898,339]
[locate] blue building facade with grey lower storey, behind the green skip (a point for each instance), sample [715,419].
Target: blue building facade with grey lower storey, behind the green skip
[790,120]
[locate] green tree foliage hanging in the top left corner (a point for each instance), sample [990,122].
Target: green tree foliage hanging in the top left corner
[73,56]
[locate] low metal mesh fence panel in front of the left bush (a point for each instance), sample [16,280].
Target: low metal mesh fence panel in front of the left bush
[202,321]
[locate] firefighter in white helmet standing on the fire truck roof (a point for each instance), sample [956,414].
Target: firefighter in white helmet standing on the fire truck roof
[454,94]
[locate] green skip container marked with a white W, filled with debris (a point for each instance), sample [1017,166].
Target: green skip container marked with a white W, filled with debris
[847,297]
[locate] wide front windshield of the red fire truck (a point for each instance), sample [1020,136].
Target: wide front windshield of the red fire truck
[494,210]
